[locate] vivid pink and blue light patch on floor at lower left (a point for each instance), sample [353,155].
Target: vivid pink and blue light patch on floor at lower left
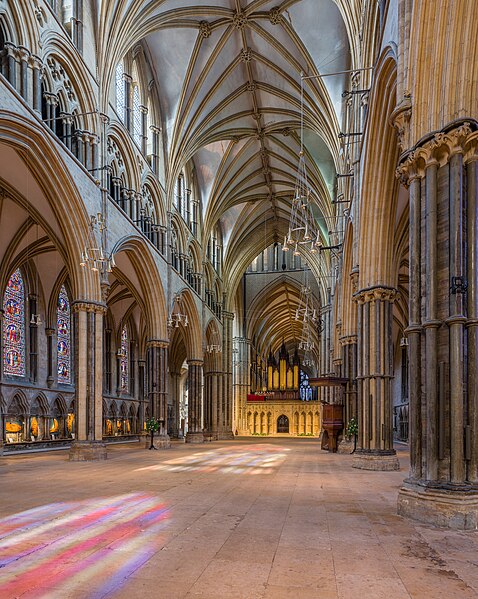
[88,546]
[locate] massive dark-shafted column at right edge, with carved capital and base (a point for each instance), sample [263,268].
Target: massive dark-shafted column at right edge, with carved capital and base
[442,488]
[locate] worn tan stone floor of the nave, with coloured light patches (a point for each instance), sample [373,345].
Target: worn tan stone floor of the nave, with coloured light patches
[252,518]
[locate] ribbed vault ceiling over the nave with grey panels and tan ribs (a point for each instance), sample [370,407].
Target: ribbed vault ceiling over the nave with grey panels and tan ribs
[229,79]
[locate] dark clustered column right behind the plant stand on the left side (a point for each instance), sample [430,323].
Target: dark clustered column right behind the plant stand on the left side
[157,386]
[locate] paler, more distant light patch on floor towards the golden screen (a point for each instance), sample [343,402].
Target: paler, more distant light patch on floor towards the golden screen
[252,459]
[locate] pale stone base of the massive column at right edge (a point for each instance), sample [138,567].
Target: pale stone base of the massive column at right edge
[457,510]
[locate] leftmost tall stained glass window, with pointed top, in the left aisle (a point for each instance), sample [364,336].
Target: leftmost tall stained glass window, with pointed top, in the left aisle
[14,326]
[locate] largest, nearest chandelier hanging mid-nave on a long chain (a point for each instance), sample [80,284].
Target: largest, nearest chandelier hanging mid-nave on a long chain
[303,229]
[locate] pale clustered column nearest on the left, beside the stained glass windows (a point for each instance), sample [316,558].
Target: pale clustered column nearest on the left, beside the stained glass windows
[88,326]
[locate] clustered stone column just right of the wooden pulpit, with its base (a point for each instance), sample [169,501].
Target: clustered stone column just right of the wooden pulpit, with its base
[375,439]
